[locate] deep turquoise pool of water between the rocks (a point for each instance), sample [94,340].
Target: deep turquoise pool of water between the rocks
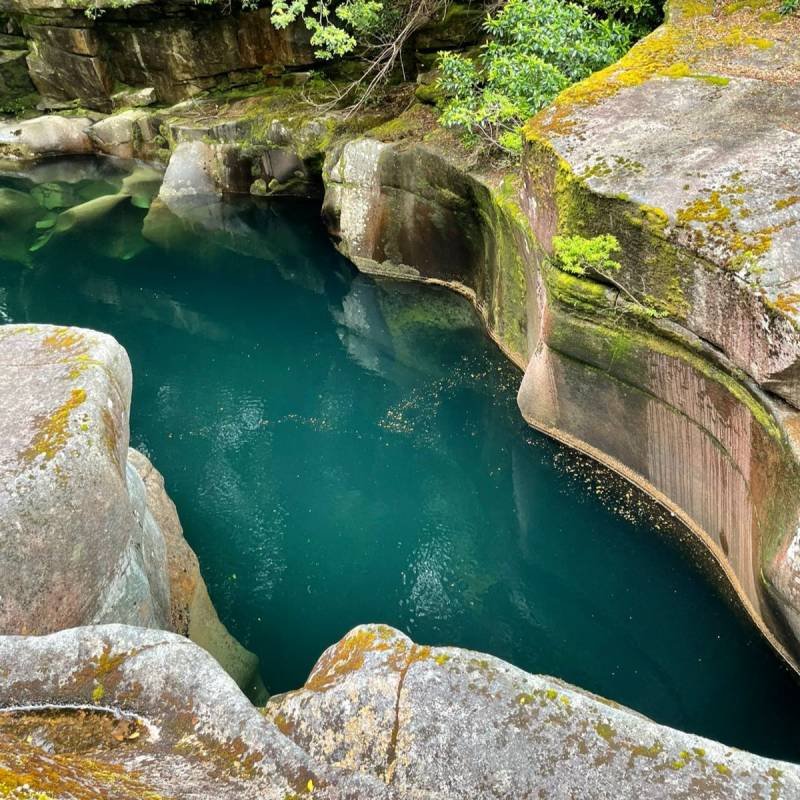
[343,450]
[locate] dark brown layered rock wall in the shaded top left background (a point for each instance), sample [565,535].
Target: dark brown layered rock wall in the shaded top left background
[175,48]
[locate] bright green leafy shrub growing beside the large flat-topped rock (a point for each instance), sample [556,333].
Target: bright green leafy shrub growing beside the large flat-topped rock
[536,48]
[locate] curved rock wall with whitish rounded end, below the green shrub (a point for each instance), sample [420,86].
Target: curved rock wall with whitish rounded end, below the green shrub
[407,211]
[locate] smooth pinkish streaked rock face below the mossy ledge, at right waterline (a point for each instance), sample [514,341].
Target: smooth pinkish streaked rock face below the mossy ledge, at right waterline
[671,419]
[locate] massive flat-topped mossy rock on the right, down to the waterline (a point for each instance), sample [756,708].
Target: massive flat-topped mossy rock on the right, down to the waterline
[687,151]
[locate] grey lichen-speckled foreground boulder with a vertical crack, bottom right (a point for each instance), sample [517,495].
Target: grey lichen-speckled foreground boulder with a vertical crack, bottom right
[448,723]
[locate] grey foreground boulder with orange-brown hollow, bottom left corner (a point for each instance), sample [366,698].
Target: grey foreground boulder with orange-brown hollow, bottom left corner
[126,713]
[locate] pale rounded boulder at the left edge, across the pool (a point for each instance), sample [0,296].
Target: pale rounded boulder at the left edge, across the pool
[45,136]
